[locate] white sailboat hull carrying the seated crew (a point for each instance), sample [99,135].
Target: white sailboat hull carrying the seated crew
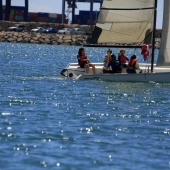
[160,74]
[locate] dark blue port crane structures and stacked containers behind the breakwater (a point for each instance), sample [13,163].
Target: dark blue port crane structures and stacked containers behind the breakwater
[21,13]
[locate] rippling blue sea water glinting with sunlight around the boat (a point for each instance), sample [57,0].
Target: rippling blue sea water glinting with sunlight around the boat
[52,123]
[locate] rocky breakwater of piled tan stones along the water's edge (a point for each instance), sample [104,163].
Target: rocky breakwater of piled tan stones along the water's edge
[40,38]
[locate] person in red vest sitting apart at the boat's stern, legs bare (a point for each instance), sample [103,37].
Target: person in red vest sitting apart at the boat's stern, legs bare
[84,61]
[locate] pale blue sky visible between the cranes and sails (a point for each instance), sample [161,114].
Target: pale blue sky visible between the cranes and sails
[55,6]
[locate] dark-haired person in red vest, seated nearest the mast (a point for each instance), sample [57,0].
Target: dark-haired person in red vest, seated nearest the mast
[132,64]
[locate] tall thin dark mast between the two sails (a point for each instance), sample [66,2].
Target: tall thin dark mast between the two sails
[153,37]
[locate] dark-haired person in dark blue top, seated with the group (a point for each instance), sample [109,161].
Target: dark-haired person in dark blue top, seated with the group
[114,65]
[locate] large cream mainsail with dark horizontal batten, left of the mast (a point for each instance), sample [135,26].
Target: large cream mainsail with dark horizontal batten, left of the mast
[125,21]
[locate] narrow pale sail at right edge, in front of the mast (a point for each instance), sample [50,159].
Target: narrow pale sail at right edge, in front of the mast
[164,53]
